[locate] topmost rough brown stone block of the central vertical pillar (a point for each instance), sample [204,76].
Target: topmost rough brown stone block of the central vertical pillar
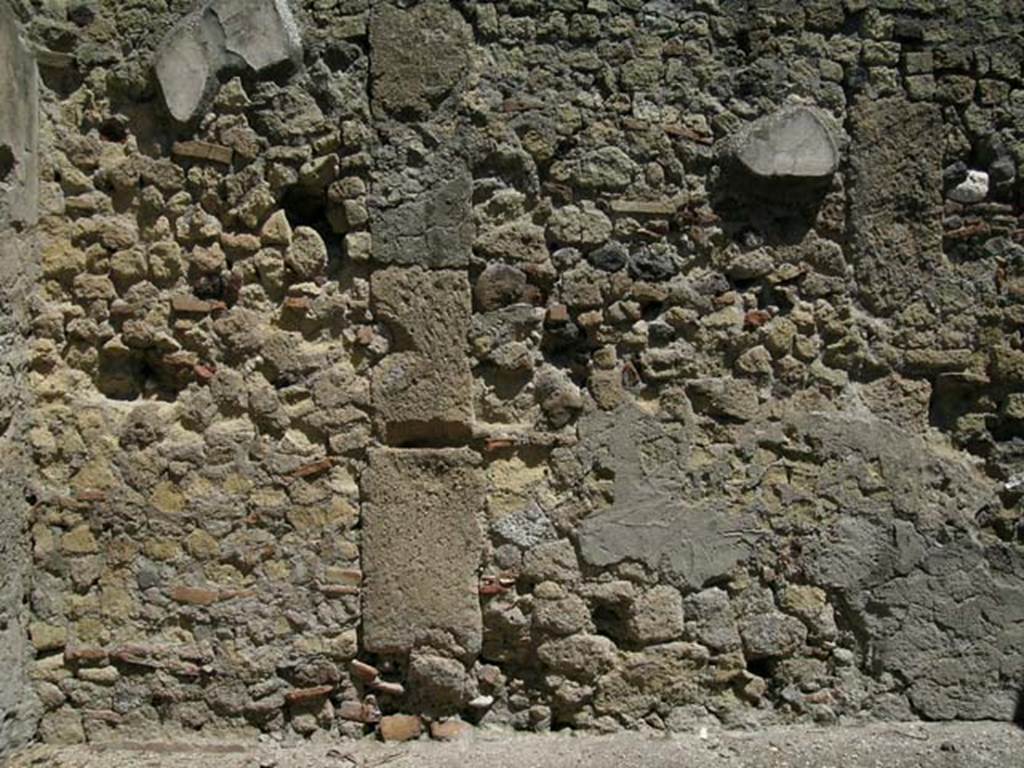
[418,56]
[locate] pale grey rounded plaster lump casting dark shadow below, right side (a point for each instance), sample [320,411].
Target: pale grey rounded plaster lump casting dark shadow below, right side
[793,144]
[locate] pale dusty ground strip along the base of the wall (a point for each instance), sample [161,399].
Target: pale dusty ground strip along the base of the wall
[889,745]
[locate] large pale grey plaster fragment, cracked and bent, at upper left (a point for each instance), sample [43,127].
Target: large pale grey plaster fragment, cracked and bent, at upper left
[223,36]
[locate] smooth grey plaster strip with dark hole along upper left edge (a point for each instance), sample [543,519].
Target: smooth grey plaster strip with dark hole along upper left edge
[19,129]
